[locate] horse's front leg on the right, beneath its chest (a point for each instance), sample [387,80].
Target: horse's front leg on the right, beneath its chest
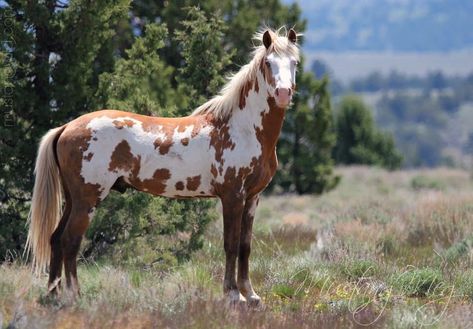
[244,282]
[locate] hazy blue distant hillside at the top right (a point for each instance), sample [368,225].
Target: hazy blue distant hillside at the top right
[388,25]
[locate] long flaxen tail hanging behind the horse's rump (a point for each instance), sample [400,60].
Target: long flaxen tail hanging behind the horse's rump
[46,204]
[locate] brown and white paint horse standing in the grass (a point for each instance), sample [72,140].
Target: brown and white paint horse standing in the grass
[226,148]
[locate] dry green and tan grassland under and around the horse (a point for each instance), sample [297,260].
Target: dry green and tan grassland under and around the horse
[376,252]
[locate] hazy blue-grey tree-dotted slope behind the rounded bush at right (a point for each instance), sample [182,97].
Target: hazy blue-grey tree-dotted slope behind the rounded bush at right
[427,116]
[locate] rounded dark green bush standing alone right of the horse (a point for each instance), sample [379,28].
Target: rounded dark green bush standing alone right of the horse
[358,140]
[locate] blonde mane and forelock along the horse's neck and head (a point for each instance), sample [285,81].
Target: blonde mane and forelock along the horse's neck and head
[221,105]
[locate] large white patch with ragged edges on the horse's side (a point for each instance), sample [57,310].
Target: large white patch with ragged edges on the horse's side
[182,161]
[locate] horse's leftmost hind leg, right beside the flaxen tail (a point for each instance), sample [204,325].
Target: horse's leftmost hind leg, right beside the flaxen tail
[55,265]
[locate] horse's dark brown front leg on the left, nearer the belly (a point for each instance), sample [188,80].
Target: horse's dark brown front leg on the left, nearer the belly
[232,214]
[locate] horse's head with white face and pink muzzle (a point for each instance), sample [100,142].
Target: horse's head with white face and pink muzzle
[280,63]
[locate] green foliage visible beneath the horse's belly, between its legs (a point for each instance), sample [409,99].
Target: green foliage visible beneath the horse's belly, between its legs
[138,229]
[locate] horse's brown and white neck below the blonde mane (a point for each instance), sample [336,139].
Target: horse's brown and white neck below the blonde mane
[260,115]
